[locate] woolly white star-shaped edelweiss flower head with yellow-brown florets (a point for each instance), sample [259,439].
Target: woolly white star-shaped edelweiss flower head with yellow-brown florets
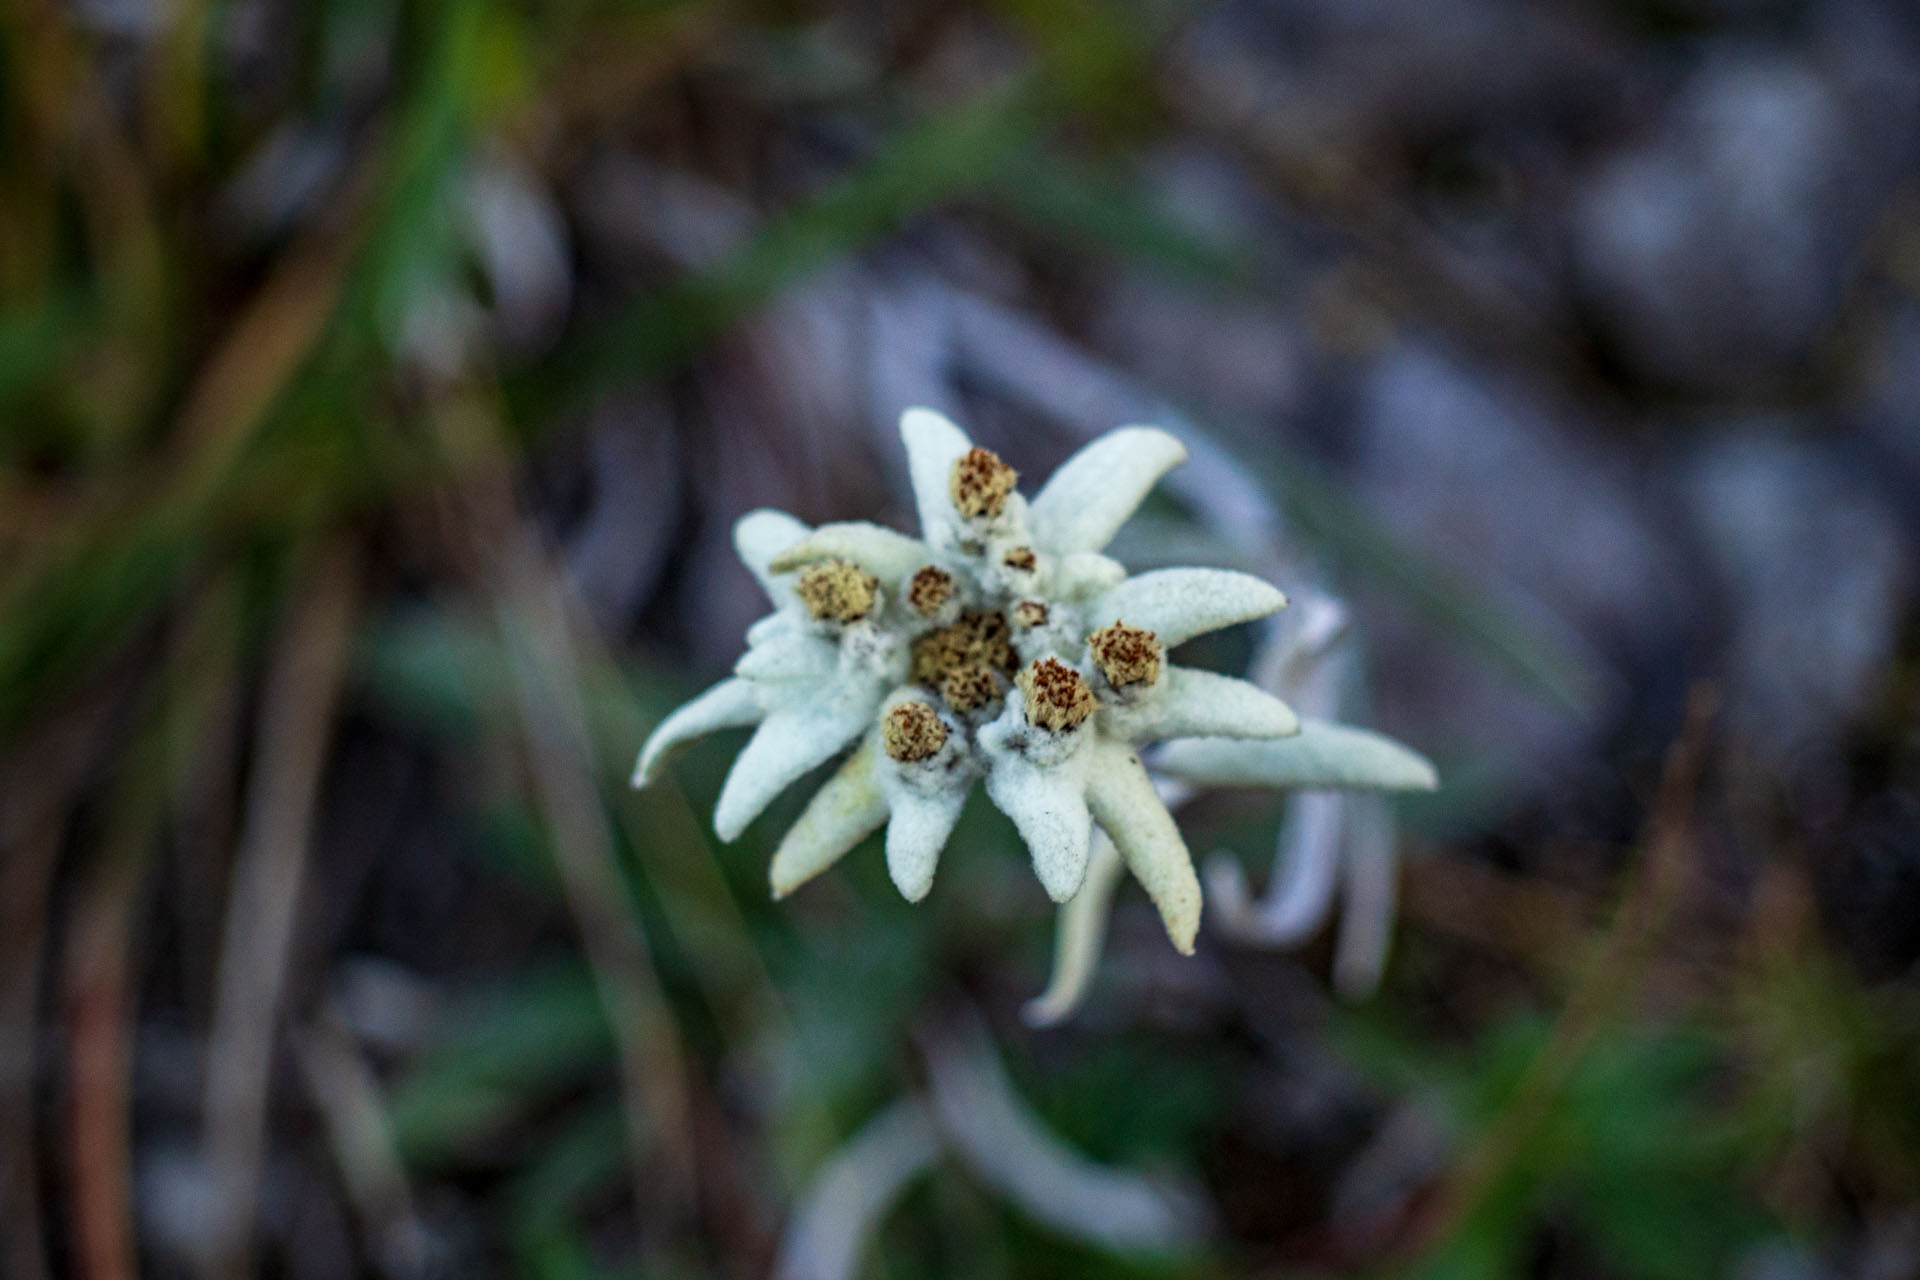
[1001,646]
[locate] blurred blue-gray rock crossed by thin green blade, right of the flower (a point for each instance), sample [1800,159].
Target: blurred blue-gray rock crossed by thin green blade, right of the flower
[1499,490]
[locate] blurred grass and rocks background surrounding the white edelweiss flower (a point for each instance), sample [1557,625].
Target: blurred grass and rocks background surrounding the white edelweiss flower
[381,379]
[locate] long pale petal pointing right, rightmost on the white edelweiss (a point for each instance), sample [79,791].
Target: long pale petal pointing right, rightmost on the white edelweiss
[1330,757]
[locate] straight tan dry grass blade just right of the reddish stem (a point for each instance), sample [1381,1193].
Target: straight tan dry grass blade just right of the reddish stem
[289,751]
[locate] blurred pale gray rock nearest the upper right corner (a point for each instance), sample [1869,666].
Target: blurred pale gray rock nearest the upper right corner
[1717,252]
